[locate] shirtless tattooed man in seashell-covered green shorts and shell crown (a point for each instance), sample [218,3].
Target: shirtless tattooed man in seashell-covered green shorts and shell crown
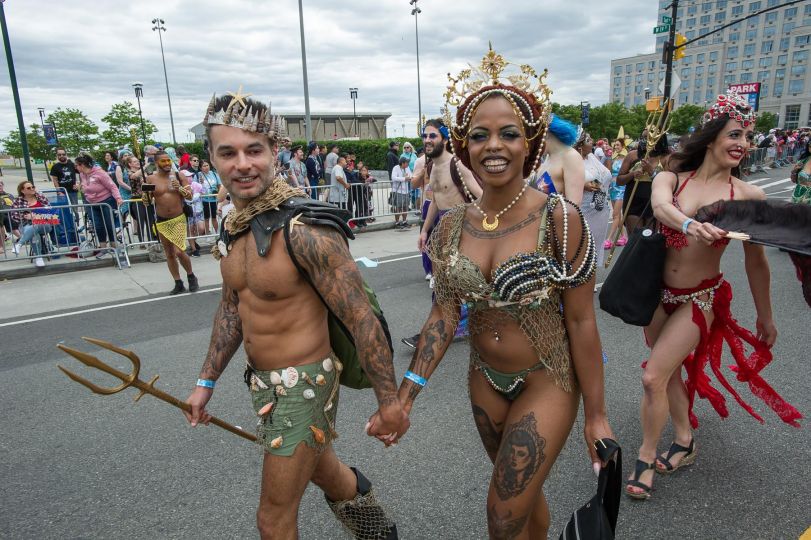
[287,275]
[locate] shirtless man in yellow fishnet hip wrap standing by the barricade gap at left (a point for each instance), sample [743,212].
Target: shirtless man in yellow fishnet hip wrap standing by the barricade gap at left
[168,190]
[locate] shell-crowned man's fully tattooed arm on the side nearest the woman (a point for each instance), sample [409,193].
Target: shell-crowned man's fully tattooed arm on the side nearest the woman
[324,254]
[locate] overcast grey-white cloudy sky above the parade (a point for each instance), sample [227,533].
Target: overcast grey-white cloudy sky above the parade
[76,54]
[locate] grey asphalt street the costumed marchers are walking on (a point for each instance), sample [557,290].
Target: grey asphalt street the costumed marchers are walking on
[79,465]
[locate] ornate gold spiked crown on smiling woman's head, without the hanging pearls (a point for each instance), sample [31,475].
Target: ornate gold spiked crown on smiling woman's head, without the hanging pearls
[494,69]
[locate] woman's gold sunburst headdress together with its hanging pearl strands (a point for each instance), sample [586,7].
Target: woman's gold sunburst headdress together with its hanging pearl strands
[495,70]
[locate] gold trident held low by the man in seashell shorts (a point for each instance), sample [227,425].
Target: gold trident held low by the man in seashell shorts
[131,379]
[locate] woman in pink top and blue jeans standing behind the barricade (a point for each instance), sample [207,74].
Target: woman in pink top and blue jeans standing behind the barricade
[99,189]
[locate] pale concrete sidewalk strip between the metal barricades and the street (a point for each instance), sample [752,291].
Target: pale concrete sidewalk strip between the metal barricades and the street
[30,296]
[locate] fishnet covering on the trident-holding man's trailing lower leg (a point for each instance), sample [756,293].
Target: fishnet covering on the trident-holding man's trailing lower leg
[363,517]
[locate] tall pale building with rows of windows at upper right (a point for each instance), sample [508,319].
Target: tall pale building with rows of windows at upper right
[771,48]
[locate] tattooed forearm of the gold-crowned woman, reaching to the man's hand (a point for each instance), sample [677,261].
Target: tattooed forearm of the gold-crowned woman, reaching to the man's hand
[435,337]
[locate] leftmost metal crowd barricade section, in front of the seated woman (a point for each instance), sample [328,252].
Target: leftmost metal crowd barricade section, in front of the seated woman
[57,233]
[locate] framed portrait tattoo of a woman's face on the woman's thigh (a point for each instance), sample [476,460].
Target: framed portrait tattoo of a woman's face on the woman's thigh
[519,458]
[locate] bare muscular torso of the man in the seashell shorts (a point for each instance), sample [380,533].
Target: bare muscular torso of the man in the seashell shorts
[284,323]
